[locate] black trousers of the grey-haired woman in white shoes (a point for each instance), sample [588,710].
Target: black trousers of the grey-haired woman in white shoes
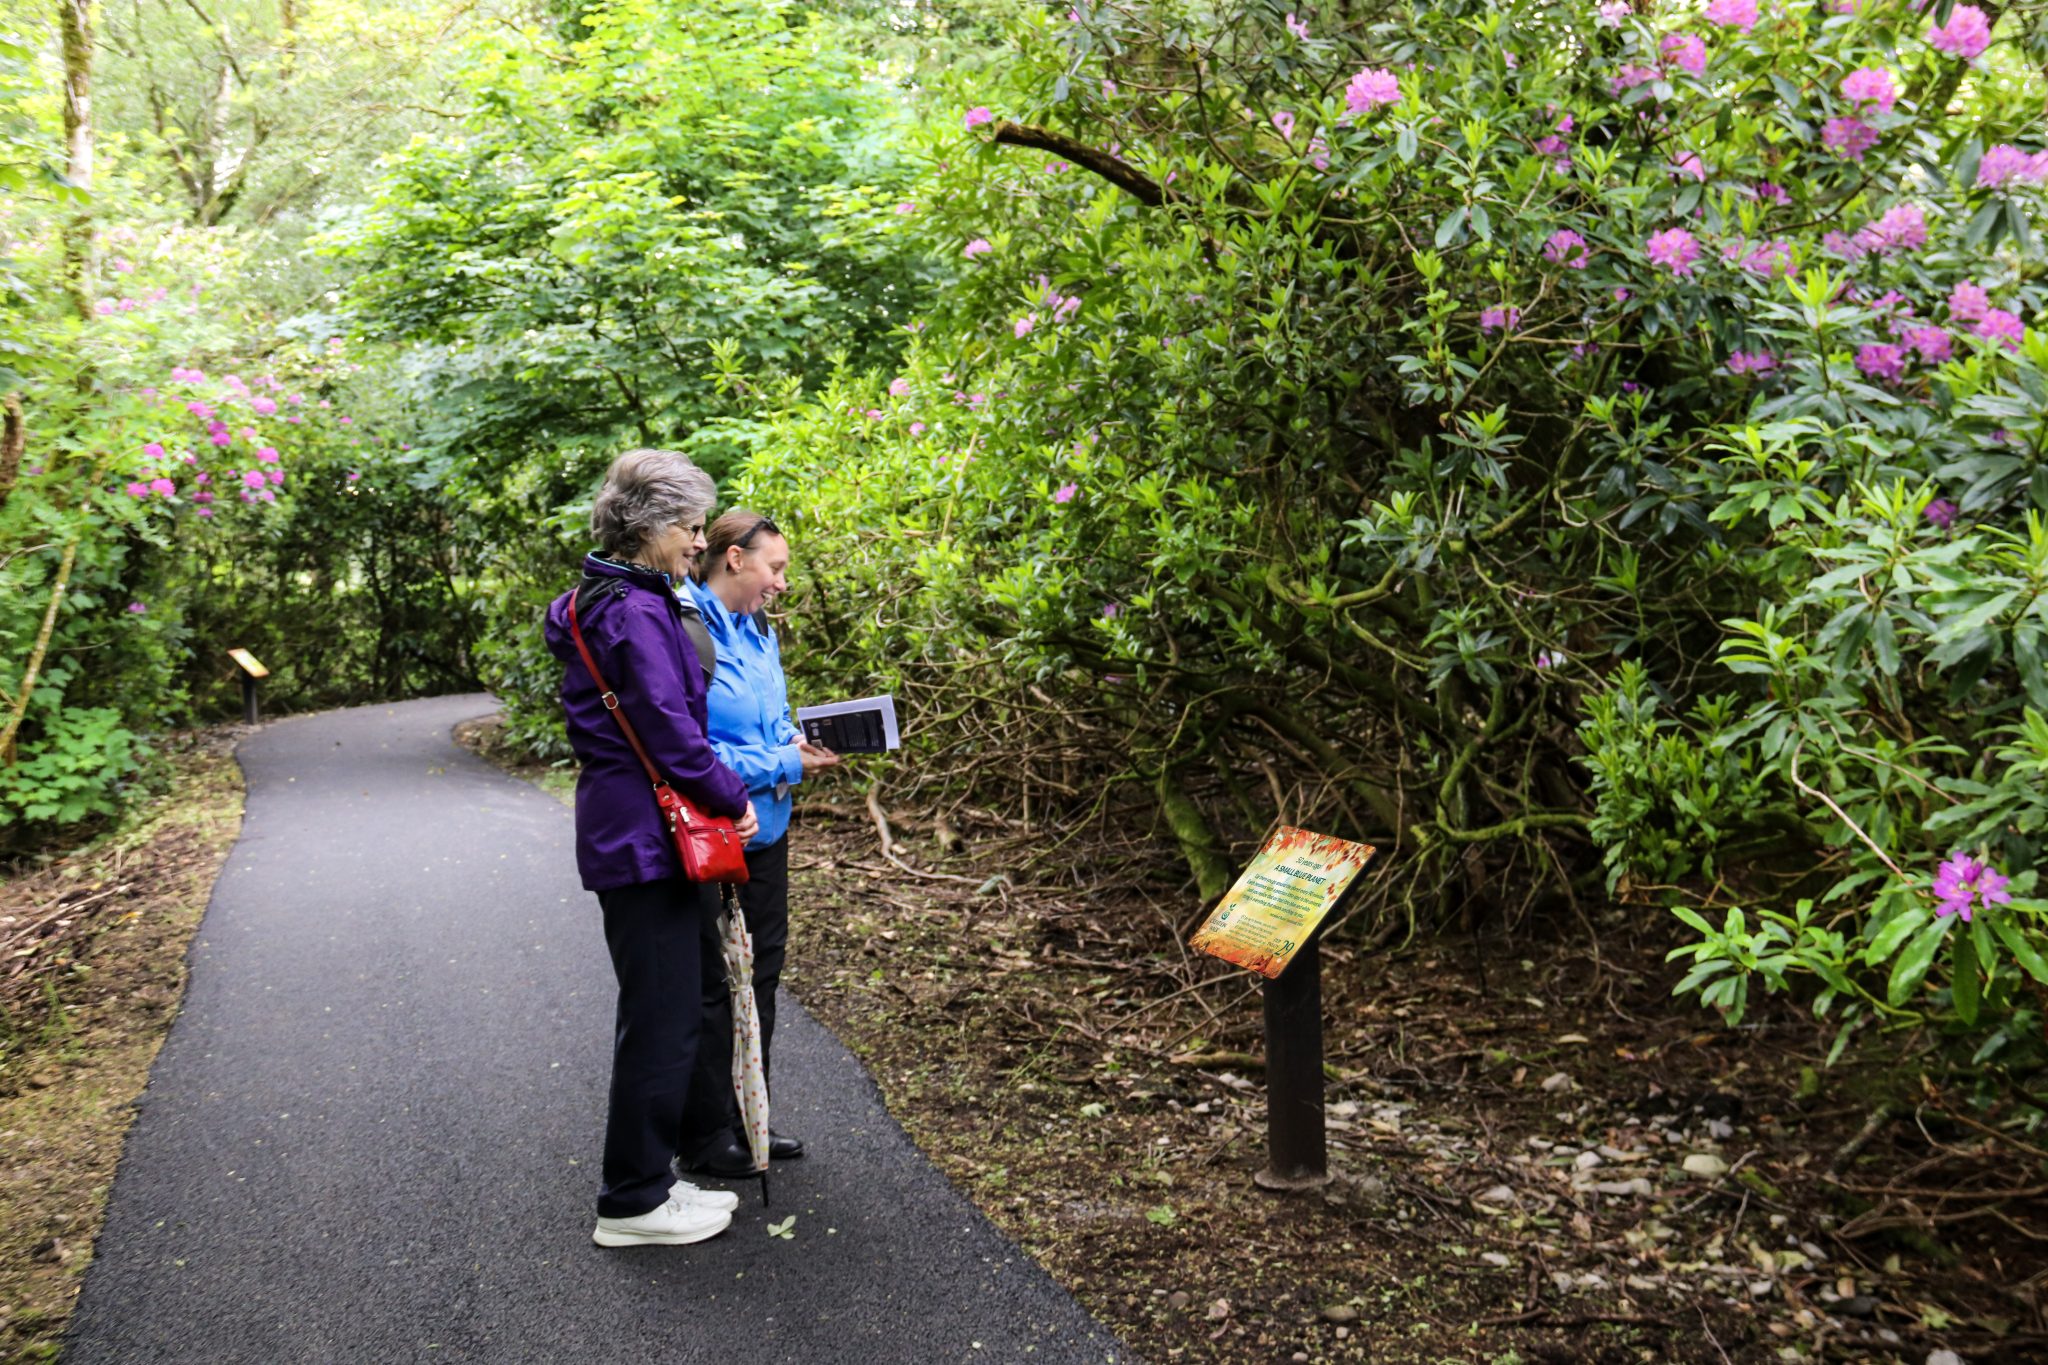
[656,932]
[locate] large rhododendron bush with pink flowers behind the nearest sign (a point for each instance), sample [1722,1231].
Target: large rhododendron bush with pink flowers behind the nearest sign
[1578,445]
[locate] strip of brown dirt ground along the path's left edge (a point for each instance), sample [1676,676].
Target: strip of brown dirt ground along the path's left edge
[91,977]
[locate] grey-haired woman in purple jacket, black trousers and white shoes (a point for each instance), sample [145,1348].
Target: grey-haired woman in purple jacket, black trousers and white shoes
[650,529]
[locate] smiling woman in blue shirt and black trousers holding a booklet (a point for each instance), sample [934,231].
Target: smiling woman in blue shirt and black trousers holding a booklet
[753,734]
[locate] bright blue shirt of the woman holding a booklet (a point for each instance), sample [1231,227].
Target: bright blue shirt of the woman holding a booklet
[751,725]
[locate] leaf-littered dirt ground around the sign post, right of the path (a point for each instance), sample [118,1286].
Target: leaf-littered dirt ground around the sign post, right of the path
[1537,1157]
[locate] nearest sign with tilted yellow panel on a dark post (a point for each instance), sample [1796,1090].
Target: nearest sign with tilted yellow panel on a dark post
[1271,924]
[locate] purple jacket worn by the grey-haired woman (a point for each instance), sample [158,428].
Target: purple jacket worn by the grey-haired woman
[634,627]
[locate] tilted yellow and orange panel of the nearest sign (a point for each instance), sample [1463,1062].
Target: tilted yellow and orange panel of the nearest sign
[1279,901]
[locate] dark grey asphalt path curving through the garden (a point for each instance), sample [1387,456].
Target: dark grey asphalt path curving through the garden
[374,1131]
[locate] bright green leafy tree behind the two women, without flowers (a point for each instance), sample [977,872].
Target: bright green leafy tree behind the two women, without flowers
[622,195]
